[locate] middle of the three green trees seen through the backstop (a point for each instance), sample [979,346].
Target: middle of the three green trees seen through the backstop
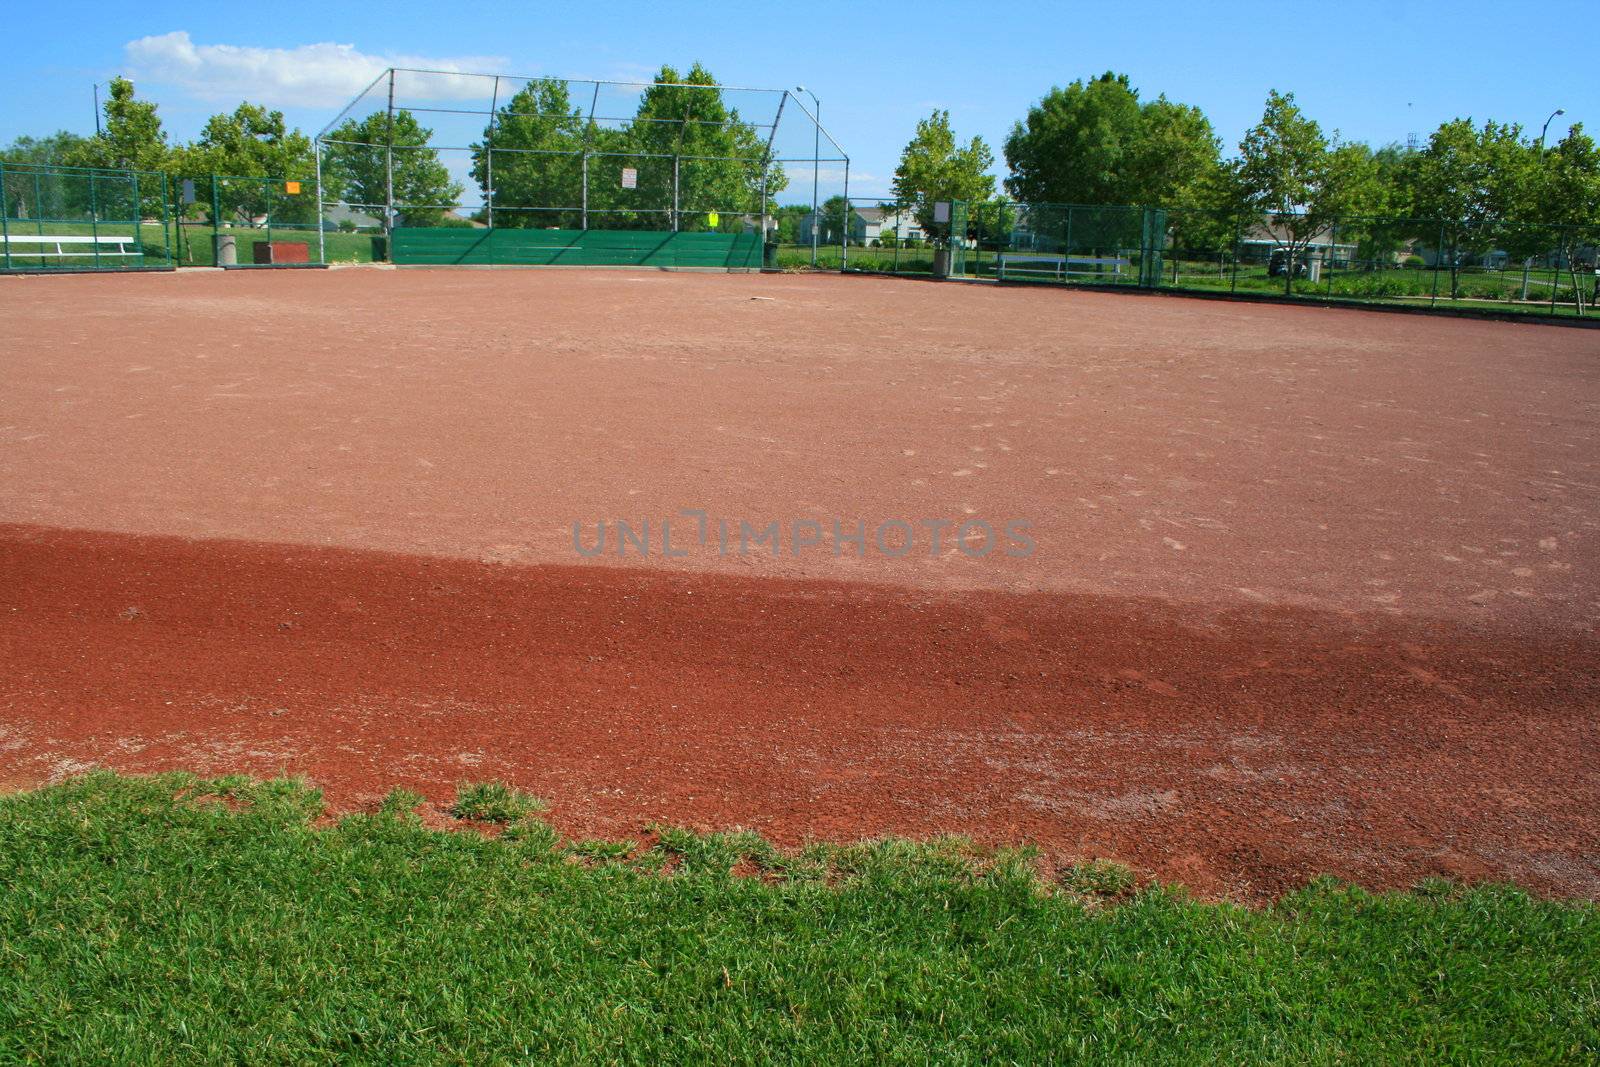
[534,177]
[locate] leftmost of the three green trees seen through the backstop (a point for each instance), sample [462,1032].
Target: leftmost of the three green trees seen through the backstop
[358,169]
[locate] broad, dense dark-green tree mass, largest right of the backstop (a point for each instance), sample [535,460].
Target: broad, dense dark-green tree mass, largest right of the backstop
[1095,143]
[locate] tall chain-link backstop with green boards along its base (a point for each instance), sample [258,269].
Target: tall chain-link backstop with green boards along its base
[580,166]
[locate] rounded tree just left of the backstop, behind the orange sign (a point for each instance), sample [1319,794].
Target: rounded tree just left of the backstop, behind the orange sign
[254,143]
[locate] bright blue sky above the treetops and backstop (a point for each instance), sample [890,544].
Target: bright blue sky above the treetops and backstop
[1374,71]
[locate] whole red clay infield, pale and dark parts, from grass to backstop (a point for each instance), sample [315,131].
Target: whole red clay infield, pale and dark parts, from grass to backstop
[1314,591]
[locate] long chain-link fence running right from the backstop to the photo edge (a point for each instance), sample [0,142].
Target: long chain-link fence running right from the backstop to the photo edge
[1522,268]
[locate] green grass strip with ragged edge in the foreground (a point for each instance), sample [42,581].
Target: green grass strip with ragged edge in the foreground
[175,919]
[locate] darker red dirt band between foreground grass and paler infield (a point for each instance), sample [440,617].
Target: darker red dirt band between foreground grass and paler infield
[1239,753]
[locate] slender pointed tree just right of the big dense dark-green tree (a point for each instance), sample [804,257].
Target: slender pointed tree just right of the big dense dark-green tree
[1289,174]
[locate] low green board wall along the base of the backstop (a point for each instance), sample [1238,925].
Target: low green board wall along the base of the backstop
[577,249]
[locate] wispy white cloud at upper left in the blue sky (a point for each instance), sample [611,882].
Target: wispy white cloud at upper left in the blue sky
[310,76]
